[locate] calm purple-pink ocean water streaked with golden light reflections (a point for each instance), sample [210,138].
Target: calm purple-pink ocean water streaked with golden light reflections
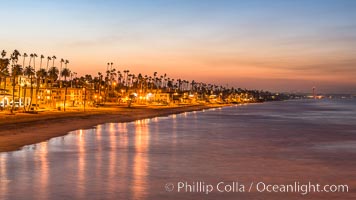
[278,142]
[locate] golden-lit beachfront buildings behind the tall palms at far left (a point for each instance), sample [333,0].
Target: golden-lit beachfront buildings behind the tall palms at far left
[41,96]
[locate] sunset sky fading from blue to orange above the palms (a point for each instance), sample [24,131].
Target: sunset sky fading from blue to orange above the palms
[275,45]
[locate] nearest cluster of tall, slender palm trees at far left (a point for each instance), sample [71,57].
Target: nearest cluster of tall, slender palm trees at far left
[10,67]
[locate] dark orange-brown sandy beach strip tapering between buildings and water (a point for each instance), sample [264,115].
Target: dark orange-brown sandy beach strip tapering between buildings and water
[25,129]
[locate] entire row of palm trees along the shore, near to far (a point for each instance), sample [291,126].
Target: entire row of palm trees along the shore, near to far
[110,85]
